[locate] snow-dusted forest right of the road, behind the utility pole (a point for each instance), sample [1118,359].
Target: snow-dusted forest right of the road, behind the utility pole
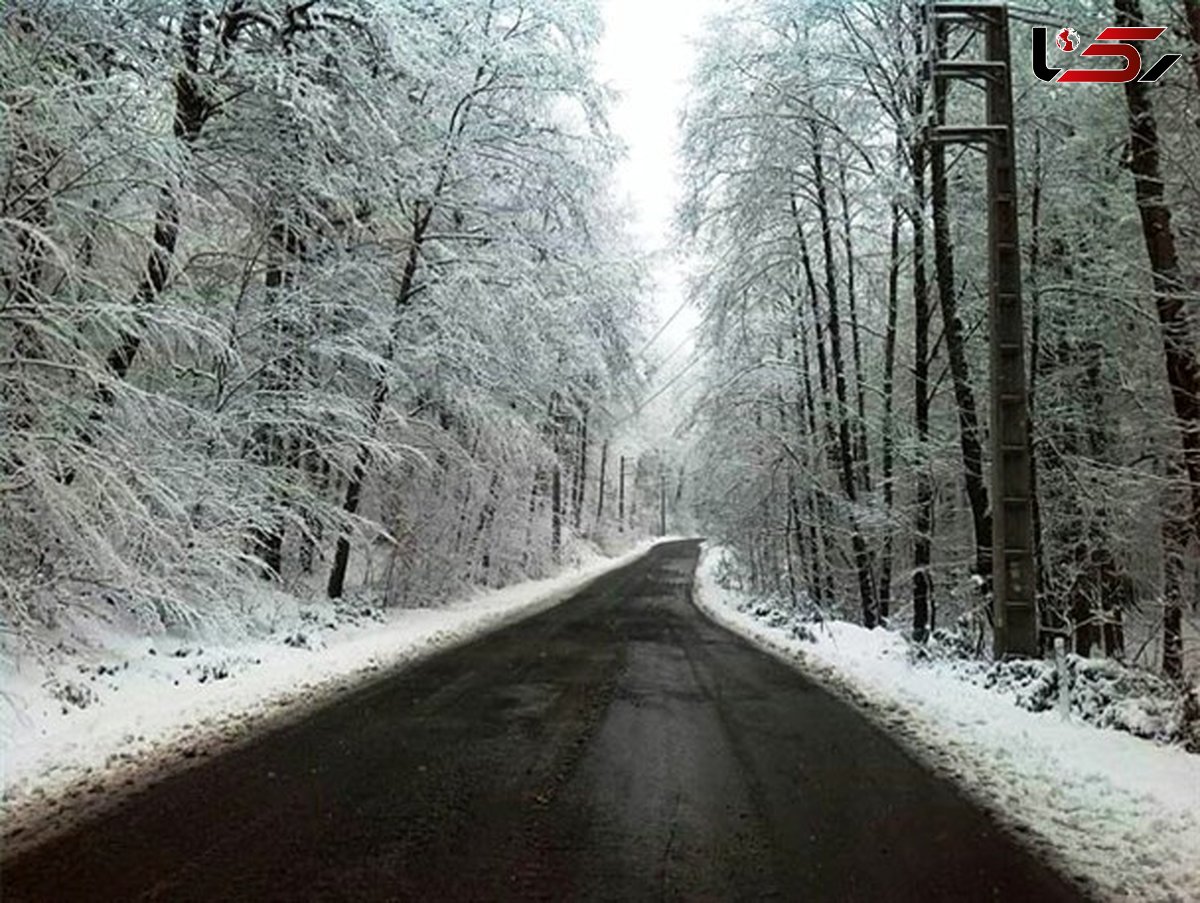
[844,420]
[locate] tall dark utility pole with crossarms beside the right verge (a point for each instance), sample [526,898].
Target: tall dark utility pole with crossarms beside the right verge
[1015,581]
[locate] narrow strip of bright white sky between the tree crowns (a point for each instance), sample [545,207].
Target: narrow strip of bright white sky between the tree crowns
[647,57]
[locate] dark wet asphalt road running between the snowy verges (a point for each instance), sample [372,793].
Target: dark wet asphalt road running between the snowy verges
[619,747]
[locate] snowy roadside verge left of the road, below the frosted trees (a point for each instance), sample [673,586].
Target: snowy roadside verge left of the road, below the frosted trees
[124,709]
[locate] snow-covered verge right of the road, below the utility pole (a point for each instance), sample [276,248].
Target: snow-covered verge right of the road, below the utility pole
[1120,814]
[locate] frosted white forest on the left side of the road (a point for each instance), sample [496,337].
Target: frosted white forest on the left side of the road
[325,295]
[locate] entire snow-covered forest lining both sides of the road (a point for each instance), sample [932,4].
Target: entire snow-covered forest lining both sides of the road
[338,296]
